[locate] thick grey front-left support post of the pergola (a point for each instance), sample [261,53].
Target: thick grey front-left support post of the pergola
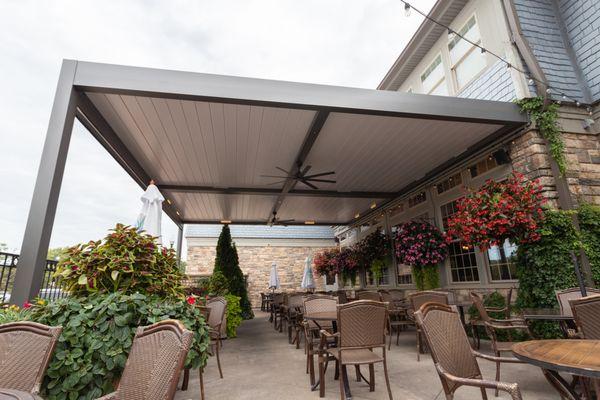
[34,250]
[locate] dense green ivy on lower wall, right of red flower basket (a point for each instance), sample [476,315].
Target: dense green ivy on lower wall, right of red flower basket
[546,266]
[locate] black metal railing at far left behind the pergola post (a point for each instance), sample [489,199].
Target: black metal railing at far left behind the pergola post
[50,290]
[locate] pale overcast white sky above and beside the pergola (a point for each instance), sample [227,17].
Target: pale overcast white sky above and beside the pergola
[337,42]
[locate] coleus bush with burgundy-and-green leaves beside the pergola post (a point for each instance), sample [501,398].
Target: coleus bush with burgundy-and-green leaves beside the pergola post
[125,260]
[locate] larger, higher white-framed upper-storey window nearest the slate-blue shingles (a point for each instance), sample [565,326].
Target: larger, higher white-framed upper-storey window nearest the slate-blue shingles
[467,61]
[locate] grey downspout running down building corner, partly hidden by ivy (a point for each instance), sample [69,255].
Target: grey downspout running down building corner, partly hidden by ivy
[562,188]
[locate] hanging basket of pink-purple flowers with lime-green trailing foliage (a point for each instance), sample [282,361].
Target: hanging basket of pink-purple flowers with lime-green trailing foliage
[422,246]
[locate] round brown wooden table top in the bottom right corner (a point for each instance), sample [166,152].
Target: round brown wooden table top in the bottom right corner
[577,357]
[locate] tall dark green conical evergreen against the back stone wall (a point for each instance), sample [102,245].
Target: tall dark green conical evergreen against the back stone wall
[227,262]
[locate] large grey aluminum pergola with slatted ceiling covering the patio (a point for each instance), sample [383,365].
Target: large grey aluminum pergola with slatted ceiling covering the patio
[208,140]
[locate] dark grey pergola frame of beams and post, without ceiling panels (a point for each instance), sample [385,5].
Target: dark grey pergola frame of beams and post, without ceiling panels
[78,78]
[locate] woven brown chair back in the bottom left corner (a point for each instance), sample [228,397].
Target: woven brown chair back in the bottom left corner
[25,351]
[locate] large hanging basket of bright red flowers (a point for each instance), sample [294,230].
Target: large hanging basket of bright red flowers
[498,211]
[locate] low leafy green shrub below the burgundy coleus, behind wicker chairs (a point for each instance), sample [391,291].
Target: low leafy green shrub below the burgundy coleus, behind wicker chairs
[97,335]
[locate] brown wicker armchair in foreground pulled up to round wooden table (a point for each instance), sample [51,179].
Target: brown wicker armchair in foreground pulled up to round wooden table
[454,359]
